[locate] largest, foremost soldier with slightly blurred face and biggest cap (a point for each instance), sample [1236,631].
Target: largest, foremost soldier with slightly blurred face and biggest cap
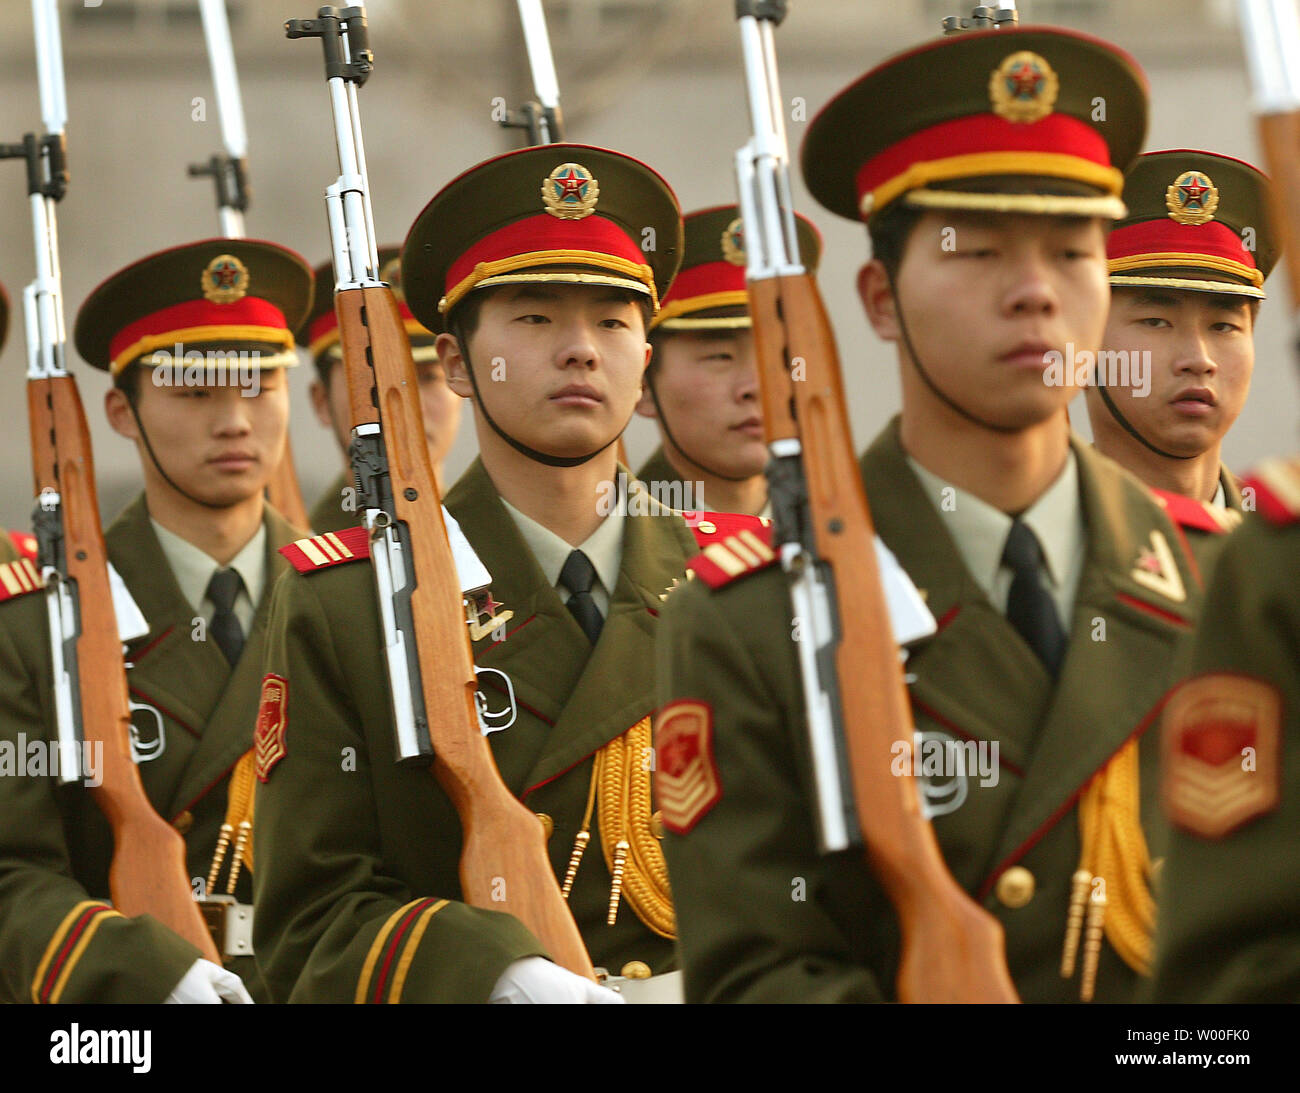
[1058,583]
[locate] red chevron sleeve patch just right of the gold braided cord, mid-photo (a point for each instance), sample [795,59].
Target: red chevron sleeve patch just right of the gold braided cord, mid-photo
[686,780]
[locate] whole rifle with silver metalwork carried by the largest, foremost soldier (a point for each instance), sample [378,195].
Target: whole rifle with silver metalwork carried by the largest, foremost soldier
[853,688]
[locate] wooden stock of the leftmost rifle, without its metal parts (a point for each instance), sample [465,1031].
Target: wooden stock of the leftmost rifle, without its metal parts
[149,874]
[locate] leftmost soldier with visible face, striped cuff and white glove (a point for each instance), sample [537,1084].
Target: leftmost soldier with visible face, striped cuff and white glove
[197,340]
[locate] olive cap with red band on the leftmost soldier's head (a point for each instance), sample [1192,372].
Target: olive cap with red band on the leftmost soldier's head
[236,293]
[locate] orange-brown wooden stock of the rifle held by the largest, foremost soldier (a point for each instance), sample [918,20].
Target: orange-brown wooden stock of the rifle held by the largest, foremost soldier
[952,949]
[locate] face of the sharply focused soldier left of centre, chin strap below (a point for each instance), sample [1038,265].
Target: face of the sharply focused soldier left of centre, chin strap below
[558,367]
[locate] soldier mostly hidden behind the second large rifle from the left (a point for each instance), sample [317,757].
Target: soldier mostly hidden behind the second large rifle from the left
[336,509]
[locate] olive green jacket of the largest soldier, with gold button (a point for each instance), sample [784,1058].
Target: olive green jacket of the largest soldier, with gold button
[761,916]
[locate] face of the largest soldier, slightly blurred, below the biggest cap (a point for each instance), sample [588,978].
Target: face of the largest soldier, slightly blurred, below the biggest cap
[991,303]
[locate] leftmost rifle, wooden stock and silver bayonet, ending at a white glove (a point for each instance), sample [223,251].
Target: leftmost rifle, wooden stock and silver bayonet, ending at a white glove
[149,873]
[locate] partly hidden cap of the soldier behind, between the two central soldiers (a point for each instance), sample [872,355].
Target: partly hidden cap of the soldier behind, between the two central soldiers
[709,292]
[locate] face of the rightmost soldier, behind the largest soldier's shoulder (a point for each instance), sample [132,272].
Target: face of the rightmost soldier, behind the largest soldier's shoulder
[1190,359]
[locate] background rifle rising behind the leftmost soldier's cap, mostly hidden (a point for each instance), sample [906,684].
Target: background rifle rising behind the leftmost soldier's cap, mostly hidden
[229,172]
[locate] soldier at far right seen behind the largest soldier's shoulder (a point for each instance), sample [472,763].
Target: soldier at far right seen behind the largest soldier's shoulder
[1188,268]
